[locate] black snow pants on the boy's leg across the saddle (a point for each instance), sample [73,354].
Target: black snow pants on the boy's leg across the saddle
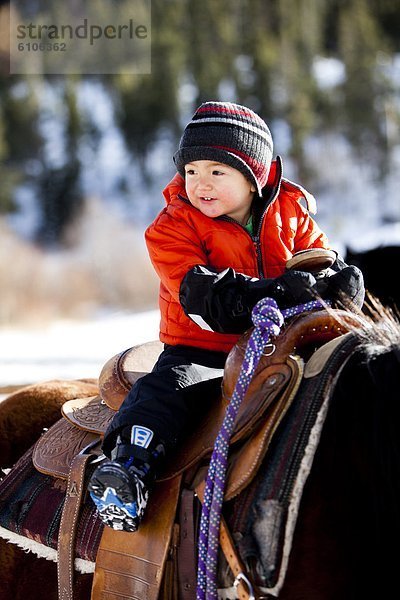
[173,397]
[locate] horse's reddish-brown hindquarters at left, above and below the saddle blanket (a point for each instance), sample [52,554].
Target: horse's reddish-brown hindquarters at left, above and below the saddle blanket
[24,414]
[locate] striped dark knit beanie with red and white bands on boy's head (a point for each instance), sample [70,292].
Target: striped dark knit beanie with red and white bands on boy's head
[230,134]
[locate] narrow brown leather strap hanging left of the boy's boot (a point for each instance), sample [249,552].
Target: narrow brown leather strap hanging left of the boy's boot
[69,525]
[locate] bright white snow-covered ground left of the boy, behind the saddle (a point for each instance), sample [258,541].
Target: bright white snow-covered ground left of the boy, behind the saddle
[70,349]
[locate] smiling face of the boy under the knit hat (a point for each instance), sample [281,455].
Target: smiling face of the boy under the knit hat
[217,189]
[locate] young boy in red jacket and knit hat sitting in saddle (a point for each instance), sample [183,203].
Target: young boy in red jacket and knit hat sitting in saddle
[230,224]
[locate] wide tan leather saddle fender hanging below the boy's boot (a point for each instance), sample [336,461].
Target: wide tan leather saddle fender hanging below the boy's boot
[131,565]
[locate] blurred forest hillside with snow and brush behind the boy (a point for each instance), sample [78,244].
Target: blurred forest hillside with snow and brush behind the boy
[84,158]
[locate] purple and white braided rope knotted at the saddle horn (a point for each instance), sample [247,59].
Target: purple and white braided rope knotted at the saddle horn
[268,320]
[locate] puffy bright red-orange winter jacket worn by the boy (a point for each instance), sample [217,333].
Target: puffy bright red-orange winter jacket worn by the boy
[182,237]
